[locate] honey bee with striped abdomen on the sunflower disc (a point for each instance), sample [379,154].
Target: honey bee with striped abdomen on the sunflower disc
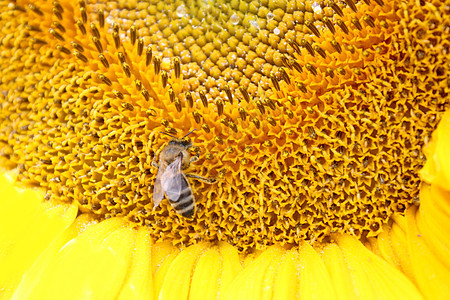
[170,180]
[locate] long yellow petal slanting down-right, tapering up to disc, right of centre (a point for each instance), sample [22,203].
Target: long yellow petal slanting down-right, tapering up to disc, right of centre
[373,277]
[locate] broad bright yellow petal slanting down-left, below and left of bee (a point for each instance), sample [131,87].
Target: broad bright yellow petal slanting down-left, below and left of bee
[92,265]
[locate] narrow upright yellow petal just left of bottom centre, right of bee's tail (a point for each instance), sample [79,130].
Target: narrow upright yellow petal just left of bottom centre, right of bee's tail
[205,281]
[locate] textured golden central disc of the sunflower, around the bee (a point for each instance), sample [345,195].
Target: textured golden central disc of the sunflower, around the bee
[311,115]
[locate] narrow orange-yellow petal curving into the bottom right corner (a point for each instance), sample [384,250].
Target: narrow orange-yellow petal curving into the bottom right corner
[431,274]
